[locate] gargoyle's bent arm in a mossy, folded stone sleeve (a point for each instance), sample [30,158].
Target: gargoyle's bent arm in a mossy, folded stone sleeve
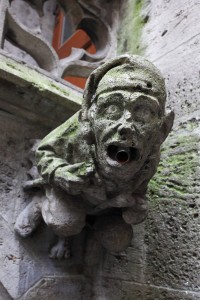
[53,164]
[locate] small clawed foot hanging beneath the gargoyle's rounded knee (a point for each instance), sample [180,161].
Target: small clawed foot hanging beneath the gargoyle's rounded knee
[61,249]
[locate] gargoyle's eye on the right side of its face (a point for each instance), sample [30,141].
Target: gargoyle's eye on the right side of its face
[144,114]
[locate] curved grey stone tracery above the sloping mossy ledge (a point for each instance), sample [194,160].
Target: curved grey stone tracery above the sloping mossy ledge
[27,31]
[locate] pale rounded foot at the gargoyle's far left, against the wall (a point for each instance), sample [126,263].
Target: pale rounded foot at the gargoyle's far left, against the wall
[29,218]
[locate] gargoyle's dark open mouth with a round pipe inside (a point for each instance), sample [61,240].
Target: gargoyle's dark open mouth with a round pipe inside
[123,155]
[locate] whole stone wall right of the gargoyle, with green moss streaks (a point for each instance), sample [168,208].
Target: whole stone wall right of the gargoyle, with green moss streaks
[164,261]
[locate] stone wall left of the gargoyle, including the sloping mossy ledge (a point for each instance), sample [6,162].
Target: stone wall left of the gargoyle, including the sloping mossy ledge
[31,104]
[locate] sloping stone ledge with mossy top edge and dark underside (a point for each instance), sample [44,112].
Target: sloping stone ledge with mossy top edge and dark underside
[34,95]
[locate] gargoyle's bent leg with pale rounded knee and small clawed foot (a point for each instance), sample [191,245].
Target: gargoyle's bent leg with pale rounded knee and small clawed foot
[65,214]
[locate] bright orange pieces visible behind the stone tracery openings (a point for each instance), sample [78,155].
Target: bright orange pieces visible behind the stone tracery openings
[78,39]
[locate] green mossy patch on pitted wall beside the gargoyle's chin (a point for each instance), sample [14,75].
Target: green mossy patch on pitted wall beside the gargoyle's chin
[177,169]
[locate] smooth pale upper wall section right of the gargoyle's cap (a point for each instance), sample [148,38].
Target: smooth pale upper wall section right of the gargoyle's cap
[174,47]
